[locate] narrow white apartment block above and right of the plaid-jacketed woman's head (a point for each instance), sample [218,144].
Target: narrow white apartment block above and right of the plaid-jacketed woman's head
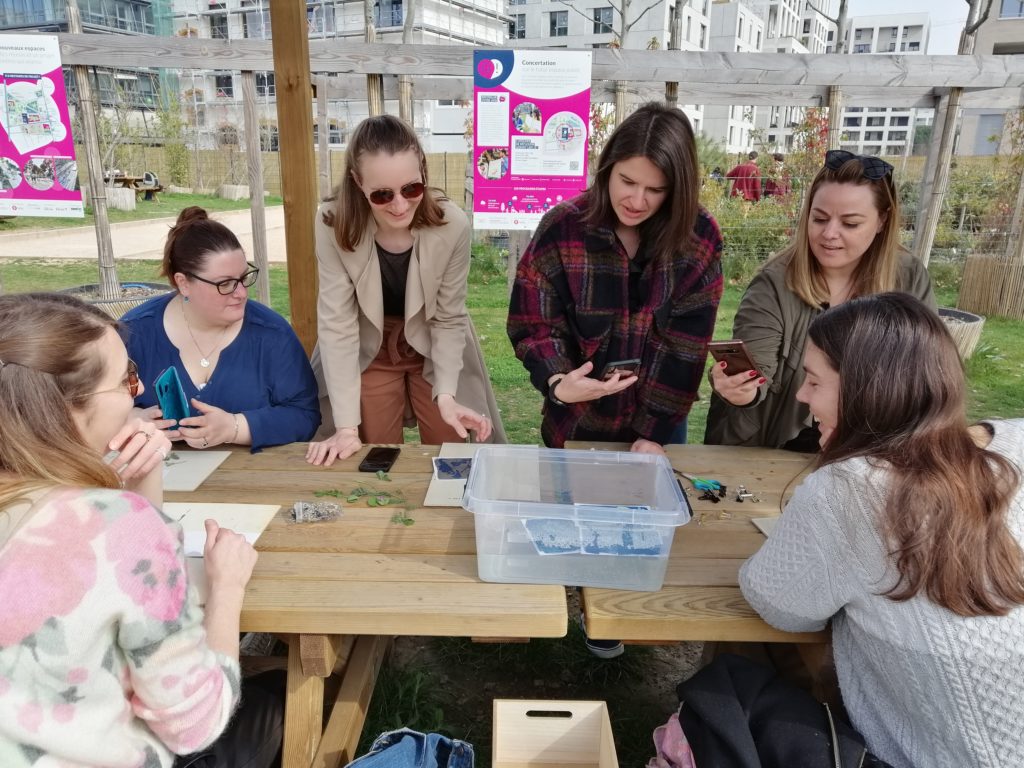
[737,27]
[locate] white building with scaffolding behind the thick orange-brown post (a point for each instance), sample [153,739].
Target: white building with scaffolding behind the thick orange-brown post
[214,99]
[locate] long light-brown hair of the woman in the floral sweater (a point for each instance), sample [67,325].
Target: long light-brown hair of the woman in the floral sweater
[50,367]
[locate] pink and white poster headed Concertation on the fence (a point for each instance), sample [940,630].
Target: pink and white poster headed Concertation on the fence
[531,120]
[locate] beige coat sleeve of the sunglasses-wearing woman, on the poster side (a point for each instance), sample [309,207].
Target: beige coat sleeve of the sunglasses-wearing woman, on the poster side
[449,326]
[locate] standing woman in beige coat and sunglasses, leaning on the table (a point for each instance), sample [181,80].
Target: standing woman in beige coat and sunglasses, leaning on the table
[395,337]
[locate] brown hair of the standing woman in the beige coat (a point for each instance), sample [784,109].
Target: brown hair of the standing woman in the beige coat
[383,135]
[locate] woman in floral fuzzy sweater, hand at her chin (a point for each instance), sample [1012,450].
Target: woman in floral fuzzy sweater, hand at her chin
[106,658]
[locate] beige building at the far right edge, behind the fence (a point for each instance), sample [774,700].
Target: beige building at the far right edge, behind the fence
[1003,33]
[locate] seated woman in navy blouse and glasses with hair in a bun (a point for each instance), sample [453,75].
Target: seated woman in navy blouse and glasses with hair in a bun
[243,370]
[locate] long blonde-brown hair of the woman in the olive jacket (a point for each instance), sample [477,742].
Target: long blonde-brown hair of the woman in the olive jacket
[879,268]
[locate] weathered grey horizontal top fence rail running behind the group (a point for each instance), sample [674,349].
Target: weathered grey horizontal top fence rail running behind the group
[662,66]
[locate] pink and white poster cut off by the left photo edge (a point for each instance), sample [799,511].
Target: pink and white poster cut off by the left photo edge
[38,170]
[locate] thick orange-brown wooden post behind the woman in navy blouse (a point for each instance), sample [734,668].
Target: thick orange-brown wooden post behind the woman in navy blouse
[298,183]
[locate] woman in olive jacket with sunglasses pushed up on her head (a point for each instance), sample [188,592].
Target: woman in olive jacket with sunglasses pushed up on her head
[847,245]
